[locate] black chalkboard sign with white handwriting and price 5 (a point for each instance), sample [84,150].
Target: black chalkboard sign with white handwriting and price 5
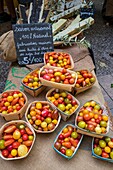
[32,41]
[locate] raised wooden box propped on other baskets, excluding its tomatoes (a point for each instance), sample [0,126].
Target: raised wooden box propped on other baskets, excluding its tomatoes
[67,87]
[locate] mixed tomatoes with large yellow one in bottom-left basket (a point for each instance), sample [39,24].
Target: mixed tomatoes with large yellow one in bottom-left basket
[16,140]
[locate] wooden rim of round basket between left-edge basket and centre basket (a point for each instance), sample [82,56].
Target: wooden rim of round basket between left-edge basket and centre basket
[43,102]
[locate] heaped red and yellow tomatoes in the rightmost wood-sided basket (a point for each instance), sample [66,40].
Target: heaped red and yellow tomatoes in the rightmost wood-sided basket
[90,118]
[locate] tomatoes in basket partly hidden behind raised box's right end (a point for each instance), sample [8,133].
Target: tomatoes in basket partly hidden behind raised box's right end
[84,78]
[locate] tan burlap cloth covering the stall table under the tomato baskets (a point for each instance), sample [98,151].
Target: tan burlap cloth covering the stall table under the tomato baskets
[42,156]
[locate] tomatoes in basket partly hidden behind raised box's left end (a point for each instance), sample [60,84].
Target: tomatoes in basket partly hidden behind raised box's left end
[32,80]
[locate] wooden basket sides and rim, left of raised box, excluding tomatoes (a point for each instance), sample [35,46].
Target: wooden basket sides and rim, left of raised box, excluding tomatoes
[33,92]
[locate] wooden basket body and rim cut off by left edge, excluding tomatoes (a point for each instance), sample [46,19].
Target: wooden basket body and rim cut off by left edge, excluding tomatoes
[19,114]
